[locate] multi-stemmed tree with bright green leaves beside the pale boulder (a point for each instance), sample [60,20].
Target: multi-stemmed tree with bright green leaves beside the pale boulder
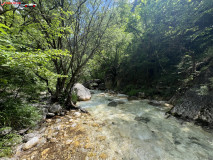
[72,30]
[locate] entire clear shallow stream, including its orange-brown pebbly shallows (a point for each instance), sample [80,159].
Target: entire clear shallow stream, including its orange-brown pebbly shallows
[131,131]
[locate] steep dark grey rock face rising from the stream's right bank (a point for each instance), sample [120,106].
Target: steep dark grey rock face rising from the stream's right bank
[196,102]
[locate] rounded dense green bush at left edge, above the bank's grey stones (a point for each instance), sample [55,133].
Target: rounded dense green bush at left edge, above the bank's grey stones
[17,115]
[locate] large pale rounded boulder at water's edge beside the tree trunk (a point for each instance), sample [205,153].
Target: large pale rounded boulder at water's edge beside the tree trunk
[83,93]
